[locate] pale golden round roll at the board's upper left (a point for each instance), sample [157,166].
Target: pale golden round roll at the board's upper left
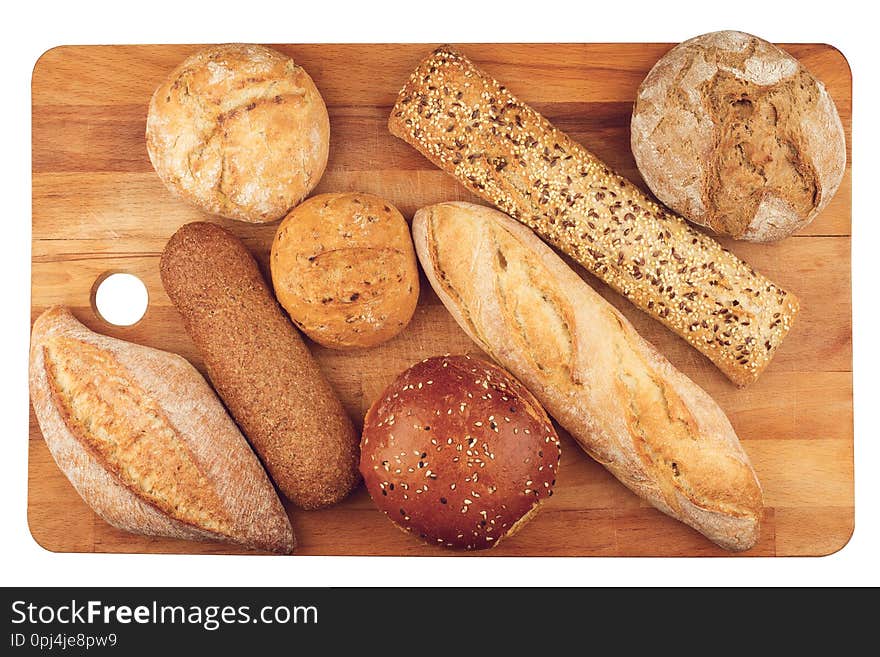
[239,131]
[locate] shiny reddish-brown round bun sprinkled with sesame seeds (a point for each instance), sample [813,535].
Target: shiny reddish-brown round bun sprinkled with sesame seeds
[459,453]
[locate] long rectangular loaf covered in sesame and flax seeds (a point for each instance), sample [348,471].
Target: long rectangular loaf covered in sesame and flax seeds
[472,127]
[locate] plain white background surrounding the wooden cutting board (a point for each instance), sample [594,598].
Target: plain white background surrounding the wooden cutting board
[34,27]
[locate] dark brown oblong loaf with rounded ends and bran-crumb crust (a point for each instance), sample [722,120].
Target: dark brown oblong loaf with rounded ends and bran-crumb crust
[259,365]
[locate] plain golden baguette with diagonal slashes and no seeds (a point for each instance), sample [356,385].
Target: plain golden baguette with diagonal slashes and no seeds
[620,399]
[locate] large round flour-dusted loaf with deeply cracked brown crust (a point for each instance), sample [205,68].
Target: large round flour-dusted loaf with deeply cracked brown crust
[734,134]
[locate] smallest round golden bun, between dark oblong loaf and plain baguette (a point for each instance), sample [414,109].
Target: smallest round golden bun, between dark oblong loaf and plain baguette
[344,268]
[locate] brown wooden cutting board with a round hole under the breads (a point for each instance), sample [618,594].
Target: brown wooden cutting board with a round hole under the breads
[98,207]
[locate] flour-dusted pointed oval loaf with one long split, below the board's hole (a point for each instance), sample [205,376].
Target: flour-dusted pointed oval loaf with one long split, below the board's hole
[145,441]
